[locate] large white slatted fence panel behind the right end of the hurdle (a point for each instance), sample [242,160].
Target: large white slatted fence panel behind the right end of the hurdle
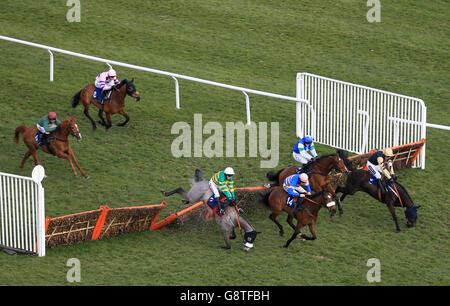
[358,118]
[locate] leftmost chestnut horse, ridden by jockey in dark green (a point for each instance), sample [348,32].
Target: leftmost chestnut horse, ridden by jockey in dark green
[59,144]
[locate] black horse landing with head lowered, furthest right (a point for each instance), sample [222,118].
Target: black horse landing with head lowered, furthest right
[395,196]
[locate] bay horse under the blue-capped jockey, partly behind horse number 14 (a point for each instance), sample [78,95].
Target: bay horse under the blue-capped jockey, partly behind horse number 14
[318,170]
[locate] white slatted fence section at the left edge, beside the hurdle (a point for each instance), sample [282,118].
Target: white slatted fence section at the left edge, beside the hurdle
[22,213]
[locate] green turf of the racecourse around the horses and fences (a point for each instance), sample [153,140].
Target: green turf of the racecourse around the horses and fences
[255,44]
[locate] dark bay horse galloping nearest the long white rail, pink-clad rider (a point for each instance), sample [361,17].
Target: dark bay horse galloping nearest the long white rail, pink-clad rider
[115,104]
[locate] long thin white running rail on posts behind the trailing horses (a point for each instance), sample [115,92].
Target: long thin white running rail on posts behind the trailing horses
[175,76]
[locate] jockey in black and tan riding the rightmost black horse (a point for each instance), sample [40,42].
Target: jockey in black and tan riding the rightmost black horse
[376,166]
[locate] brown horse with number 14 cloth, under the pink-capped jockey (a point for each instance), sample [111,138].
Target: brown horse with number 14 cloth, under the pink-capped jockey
[276,198]
